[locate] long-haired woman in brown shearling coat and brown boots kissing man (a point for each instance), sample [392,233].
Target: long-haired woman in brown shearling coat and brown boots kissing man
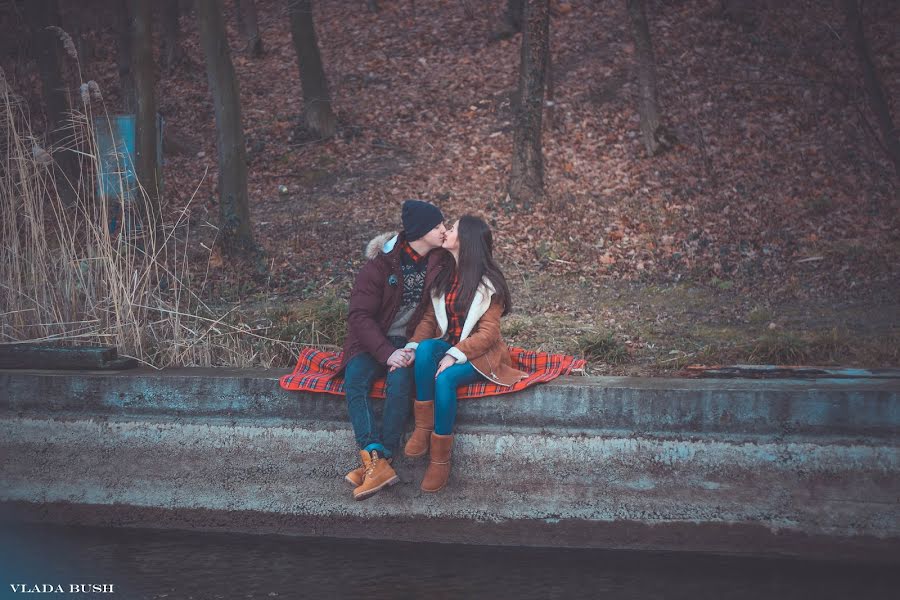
[458,342]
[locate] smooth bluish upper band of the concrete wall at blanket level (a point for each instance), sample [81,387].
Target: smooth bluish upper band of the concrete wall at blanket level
[842,407]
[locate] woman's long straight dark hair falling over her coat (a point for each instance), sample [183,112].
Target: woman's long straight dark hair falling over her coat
[476,260]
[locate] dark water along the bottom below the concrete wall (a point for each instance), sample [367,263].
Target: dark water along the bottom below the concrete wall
[151,564]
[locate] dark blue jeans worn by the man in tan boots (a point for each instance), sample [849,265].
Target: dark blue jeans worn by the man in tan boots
[359,374]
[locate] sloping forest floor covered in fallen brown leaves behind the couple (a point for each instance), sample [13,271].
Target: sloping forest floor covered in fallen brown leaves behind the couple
[768,234]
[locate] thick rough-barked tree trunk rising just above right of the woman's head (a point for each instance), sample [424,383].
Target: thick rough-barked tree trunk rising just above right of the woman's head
[526,184]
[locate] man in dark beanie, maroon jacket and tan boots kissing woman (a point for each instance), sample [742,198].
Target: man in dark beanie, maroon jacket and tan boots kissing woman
[385,307]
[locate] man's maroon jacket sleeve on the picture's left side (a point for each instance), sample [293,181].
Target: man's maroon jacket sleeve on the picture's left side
[365,305]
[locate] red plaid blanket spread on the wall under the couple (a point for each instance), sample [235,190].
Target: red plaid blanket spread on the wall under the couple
[315,372]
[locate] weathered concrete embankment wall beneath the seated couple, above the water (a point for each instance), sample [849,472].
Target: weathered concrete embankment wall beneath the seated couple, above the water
[795,467]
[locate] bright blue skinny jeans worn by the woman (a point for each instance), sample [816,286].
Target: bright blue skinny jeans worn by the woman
[443,388]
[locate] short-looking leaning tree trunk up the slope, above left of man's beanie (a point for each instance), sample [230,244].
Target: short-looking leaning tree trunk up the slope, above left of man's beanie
[316,99]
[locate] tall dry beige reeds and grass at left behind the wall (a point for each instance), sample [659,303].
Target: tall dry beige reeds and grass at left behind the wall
[67,277]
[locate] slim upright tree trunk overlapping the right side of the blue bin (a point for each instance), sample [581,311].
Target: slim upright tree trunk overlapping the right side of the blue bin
[146,166]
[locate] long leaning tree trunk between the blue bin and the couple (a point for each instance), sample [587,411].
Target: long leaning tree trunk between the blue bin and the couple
[234,209]
